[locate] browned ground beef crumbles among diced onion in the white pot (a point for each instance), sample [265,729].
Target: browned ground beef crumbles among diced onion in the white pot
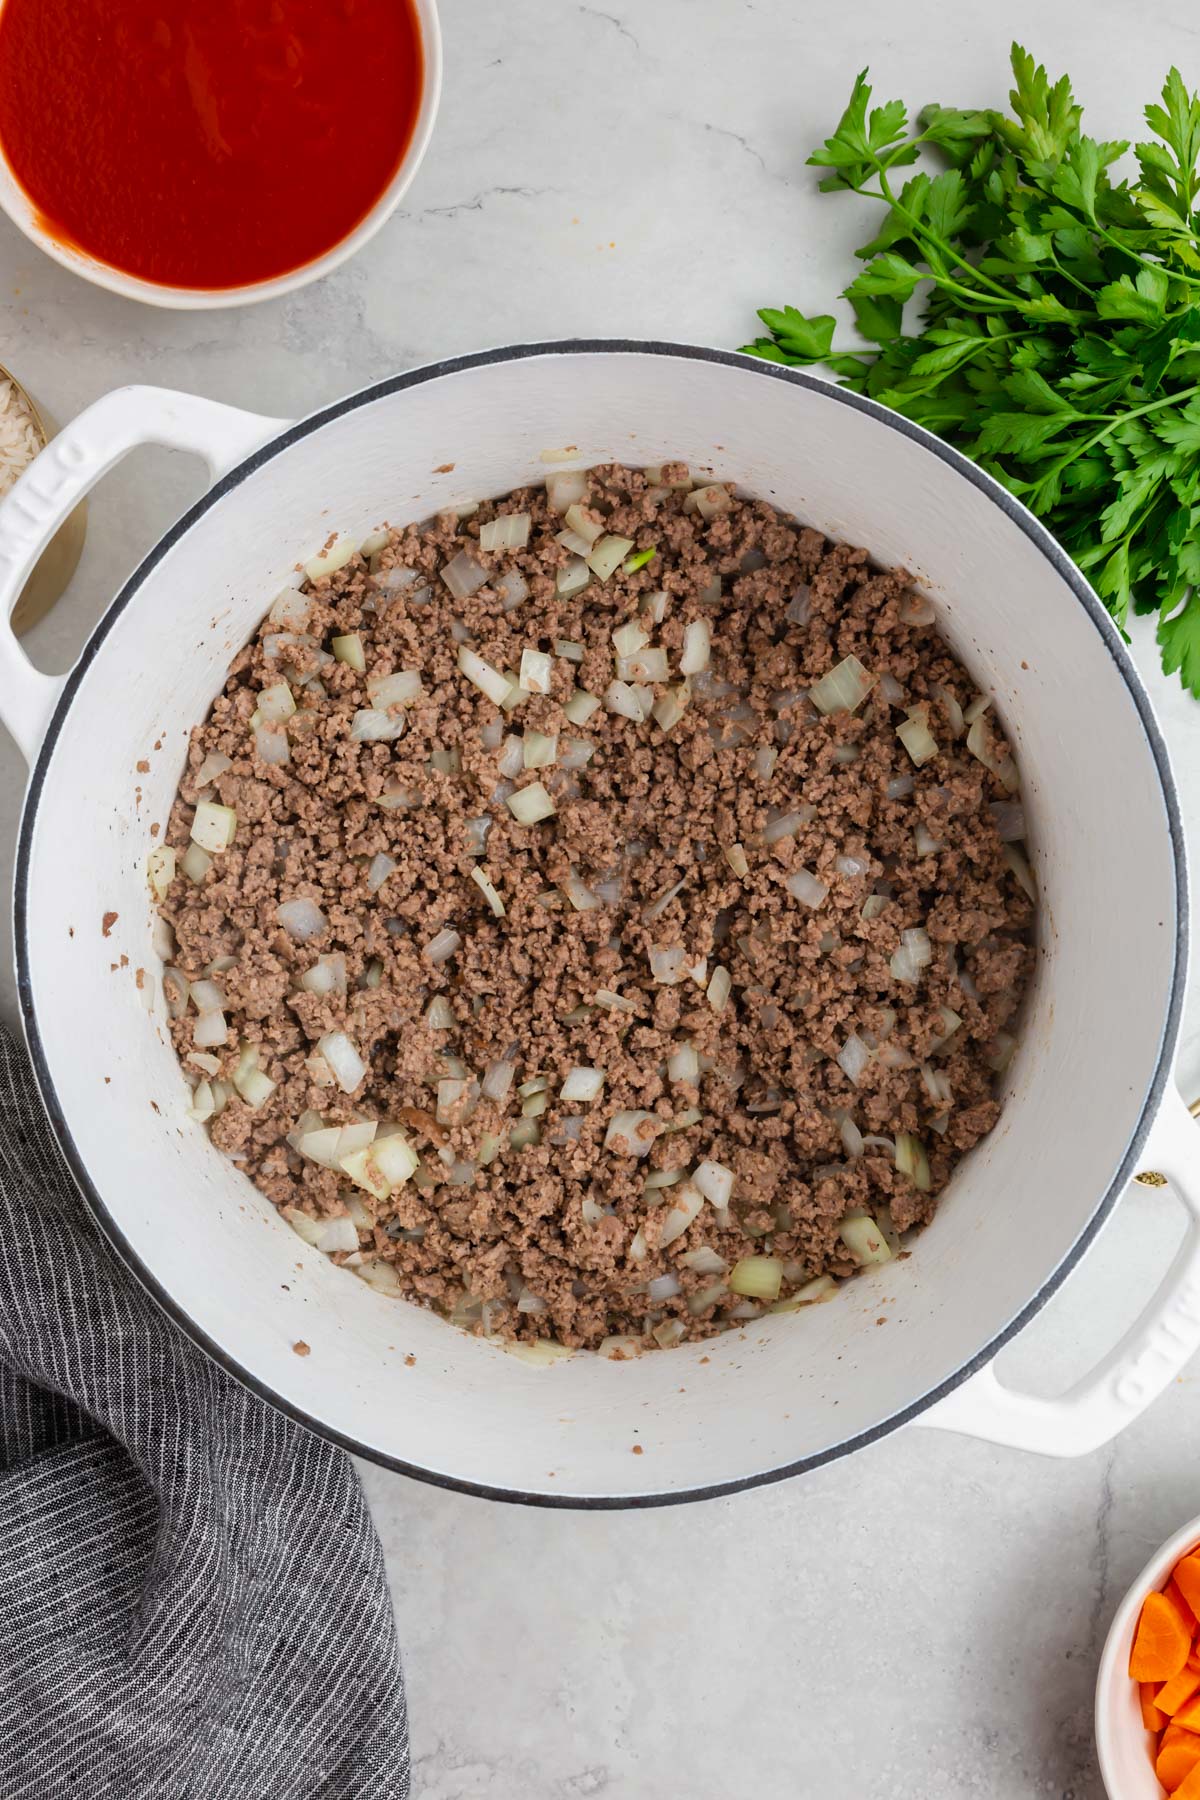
[521,1219]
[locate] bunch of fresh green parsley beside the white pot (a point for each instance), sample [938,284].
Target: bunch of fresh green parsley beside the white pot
[1061,337]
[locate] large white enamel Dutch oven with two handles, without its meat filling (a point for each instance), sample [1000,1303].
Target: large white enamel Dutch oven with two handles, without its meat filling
[789,1392]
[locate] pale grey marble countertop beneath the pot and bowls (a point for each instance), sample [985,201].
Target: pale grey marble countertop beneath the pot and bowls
[920,1623]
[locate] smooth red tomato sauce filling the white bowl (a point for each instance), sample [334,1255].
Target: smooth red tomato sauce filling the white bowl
[206,143]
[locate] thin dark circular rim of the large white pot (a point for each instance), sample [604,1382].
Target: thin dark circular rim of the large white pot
[886,418]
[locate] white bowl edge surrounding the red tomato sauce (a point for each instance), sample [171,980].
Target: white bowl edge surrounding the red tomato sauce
[24,215]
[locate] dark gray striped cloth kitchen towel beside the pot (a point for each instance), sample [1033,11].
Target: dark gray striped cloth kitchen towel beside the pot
[193,1603]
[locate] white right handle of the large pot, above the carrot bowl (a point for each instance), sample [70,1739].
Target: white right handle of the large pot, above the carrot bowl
[1136,1372]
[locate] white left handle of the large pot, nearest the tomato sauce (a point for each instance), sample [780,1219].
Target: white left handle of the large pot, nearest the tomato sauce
[57,481]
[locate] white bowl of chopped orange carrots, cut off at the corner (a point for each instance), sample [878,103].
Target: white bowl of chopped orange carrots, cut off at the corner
[1149,1686]
